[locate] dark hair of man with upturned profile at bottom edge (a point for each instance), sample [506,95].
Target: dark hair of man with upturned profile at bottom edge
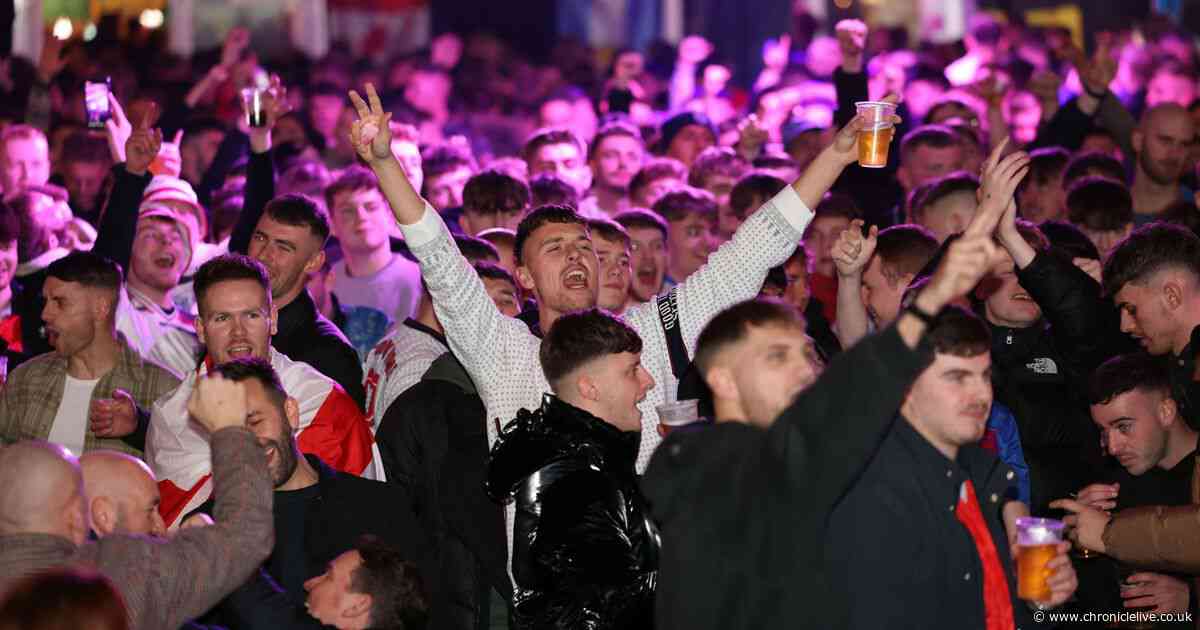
[399,596]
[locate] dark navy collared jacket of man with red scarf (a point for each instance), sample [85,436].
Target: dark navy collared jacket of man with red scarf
[897,547]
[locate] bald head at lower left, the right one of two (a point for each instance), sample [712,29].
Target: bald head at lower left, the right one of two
[123,496]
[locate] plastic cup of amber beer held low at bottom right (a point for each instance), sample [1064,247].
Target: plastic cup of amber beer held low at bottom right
[1045,574]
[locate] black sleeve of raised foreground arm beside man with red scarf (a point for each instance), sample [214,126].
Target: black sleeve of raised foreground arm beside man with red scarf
[833,429]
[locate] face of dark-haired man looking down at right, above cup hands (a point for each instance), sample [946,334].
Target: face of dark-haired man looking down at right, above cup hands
[1135,429]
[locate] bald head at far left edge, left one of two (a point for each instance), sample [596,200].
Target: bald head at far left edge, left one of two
[43,491]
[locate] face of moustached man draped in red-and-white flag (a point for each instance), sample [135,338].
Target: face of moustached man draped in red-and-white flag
[236,321]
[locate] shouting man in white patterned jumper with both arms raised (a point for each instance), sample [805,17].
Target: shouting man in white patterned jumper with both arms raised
[557,263]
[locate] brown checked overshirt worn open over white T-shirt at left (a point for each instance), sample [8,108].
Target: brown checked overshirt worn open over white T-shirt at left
[34,393]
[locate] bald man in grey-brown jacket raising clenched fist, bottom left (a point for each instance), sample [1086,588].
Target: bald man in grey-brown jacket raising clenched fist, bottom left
[44,520]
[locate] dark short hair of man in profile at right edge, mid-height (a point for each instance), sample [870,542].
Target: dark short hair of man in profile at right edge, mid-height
[1150,250]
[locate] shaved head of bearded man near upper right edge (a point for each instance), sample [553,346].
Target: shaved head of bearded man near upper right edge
[1162,142]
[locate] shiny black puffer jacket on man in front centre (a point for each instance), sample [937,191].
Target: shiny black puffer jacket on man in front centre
[585,551]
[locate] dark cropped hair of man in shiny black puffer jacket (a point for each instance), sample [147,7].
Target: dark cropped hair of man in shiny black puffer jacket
[583,337]
